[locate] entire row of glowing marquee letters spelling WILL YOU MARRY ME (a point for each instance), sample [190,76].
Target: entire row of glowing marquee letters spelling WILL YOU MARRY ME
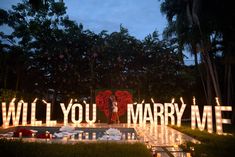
[154,113]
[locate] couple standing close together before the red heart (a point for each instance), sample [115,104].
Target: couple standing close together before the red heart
[113,109]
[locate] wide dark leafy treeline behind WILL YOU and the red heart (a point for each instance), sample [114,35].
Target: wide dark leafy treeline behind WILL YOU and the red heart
[49,53]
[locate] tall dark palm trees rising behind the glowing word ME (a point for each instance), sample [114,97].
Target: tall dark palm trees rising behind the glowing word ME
[206,29]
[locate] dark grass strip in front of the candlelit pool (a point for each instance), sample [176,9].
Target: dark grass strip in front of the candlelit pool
[18,148]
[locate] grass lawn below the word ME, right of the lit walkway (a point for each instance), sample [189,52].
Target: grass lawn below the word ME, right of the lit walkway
[212,145]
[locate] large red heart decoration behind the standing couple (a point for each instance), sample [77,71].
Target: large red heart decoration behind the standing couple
[123,98]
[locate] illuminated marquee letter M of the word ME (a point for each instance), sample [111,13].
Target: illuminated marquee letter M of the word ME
[207,115]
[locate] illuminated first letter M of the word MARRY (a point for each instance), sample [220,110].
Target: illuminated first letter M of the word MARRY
[131,113]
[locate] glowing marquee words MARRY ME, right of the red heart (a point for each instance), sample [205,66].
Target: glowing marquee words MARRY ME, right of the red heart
[142,113]
